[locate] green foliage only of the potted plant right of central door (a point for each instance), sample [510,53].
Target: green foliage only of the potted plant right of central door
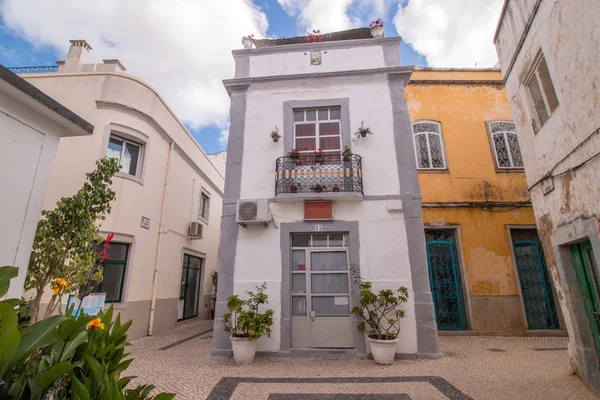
[380,311]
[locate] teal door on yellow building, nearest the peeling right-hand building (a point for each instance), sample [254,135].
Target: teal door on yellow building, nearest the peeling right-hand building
[536,289]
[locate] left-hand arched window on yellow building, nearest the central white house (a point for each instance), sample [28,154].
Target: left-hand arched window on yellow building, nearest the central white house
[429,148]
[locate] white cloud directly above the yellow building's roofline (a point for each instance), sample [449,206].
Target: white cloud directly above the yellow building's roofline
[451,33]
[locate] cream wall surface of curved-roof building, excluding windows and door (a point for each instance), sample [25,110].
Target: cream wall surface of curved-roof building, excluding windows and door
[134,199]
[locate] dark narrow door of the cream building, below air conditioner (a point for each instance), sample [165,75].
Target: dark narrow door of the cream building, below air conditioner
[189,292]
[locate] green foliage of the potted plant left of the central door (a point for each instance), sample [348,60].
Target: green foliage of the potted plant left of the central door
[244,320]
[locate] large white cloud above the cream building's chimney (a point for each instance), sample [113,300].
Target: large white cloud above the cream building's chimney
[180,47]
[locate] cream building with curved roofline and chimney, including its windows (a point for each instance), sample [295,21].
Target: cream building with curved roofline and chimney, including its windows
[166,217]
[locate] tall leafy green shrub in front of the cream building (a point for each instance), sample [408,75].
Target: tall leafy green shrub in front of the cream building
[64,240]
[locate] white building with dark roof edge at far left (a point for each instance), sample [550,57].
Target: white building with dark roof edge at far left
[31,126]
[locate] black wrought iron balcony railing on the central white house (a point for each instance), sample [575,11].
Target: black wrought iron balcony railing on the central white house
[319,174]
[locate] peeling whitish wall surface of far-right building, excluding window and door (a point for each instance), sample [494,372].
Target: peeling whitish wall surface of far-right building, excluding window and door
[568,34]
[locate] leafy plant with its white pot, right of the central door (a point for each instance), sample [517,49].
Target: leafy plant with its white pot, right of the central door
[381,316]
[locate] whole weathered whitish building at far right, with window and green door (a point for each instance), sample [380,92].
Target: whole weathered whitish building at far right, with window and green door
[548,52]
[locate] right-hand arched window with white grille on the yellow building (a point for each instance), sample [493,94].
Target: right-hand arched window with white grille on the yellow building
[505,145]
